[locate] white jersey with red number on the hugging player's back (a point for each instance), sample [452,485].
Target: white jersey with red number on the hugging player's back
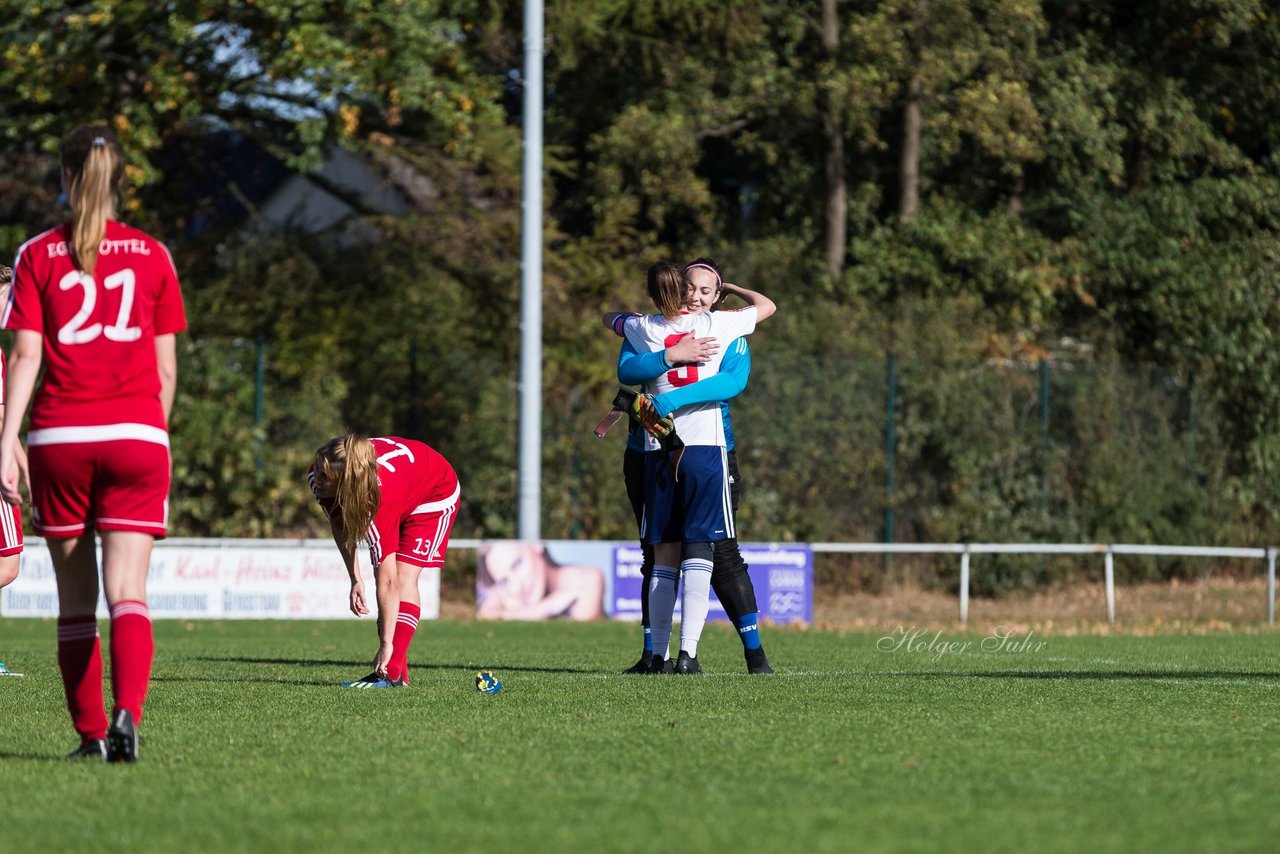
[700,423]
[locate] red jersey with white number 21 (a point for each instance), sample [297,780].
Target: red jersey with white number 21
[100,330]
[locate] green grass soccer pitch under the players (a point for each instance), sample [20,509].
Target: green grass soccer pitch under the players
[1112,743]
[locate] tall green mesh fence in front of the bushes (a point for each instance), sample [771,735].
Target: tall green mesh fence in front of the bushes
[834,447]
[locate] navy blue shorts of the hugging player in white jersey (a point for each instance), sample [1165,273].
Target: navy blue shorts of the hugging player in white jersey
[696,508]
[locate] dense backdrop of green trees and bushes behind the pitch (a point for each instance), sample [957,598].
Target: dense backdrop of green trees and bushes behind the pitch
[982,188]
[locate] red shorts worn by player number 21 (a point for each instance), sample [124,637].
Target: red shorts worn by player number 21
[121,486]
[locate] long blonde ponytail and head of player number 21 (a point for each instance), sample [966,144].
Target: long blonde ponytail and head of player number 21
[94,166]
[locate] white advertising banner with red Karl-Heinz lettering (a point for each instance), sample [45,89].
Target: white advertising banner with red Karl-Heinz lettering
[225,581]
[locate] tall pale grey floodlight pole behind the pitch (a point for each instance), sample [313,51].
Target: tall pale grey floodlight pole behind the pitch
[532,285]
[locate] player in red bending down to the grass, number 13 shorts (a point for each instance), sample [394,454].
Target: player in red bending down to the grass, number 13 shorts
[401,497]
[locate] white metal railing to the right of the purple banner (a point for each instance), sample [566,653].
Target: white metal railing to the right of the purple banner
[1109,552]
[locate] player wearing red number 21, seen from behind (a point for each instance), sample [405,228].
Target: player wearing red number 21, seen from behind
[98,304]
